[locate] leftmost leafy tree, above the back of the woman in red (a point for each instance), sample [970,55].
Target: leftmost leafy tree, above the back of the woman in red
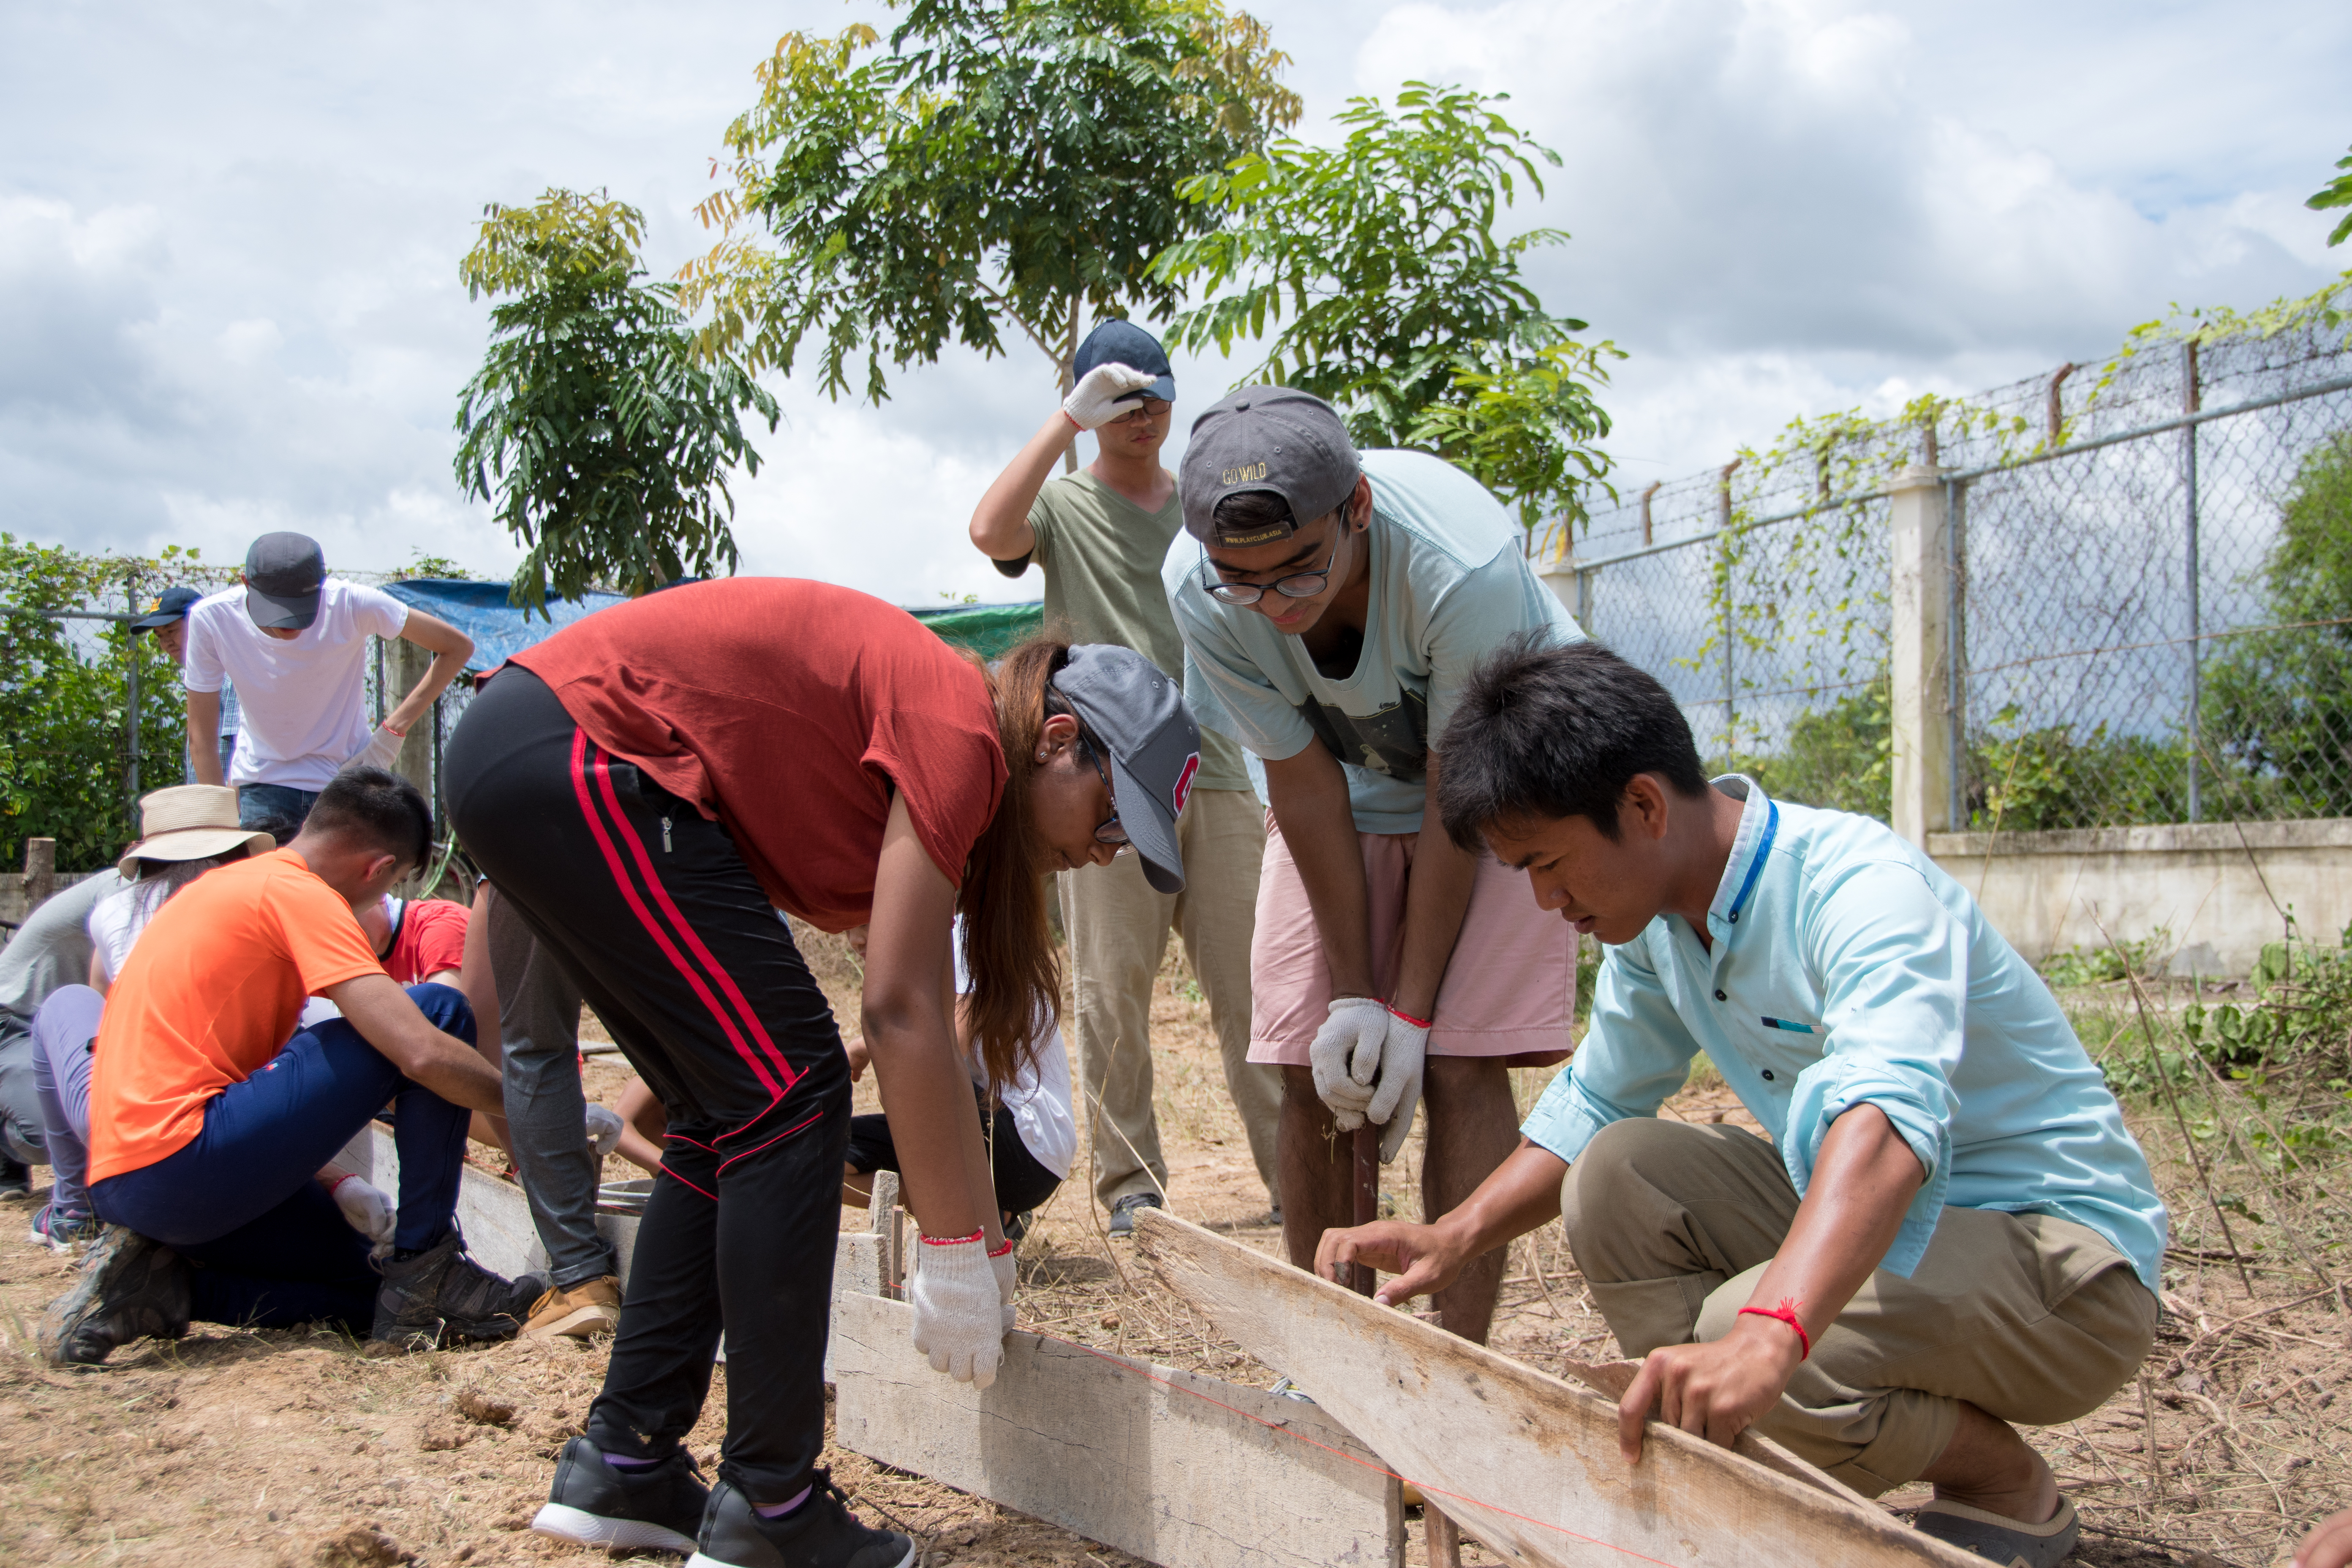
[594,429]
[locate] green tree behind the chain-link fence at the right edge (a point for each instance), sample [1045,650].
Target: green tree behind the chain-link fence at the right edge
[2280,702]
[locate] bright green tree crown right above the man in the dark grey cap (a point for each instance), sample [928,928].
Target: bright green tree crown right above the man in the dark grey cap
[1391,295]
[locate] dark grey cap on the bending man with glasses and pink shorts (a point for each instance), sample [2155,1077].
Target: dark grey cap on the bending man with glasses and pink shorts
[1271,438]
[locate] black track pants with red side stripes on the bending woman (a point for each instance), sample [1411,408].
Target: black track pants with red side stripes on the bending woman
[669,937]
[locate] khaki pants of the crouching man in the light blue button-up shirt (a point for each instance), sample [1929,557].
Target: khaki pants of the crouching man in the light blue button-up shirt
[2029,1318]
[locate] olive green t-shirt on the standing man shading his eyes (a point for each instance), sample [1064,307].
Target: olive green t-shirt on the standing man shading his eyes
[1102,584]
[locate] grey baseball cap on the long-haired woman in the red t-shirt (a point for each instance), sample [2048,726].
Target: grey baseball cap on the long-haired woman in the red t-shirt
[1140,716]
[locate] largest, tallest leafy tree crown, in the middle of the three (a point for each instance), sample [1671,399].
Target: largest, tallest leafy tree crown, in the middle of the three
[996,163]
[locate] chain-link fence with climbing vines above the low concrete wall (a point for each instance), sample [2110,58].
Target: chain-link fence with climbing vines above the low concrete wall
[2151,594]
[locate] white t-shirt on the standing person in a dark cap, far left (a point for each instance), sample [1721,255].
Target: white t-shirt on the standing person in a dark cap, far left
[302,704]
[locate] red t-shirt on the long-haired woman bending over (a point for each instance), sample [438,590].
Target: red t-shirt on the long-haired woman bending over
[791,711]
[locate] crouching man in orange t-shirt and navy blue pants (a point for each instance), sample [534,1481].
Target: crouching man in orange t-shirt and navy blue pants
[208,1123]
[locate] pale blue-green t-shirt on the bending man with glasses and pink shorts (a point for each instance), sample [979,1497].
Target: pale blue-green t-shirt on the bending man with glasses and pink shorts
[1448,589]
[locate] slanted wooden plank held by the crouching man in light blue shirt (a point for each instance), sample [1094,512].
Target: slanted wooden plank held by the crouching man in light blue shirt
[1525,1463]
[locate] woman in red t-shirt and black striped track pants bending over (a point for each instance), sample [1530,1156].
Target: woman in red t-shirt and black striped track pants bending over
[648,789]
